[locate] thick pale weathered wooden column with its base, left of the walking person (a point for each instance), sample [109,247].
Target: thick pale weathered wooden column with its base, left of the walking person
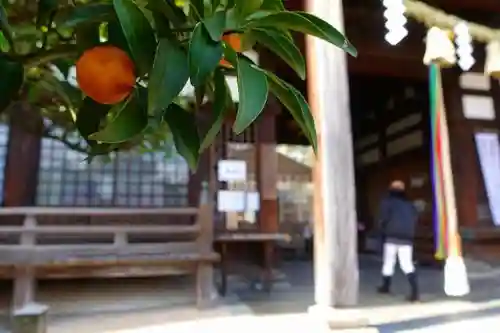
[336,276]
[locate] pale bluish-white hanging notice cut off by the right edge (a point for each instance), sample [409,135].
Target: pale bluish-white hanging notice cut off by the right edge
[488,149]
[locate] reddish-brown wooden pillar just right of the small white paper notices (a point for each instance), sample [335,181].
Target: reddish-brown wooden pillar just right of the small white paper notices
[266,166]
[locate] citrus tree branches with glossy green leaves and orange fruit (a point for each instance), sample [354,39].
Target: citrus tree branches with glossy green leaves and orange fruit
[133,59]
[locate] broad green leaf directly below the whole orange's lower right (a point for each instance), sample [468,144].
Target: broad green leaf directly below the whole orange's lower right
[131,120]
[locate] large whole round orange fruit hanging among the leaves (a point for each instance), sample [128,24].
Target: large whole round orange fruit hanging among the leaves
[106,74]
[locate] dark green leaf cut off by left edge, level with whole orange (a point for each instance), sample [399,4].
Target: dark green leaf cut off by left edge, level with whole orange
[11,81]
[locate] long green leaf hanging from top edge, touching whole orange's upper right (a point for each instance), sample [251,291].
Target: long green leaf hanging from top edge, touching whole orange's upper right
[138,32]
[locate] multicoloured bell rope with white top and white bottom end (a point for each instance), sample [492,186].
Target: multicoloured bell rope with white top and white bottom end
[445,210]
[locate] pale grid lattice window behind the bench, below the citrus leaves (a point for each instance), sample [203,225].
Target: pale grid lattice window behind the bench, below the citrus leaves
[128,180]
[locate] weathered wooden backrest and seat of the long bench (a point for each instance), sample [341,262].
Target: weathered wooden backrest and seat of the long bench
[38,241]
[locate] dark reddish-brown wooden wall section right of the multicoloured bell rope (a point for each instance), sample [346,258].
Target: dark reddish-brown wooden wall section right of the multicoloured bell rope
[473,102]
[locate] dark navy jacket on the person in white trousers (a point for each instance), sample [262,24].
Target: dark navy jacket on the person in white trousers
[397,217]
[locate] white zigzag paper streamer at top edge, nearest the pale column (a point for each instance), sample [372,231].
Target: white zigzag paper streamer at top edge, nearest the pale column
[395,21]
